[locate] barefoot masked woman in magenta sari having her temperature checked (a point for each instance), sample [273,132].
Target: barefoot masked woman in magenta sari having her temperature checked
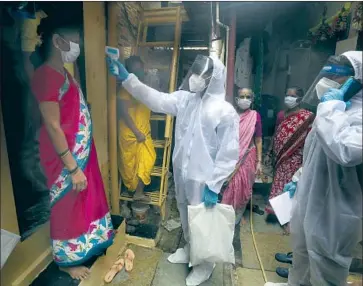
[80,222]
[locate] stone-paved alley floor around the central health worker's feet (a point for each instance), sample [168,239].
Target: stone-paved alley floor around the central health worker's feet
[151,267]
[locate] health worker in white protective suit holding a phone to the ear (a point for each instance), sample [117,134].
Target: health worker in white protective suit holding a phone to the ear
[326,223]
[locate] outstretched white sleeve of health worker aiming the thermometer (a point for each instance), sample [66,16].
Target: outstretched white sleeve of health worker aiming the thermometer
[157,101]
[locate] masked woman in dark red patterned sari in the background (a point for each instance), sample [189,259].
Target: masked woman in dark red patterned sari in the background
[292,127]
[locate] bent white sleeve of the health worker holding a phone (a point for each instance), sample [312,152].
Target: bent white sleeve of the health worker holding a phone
[339,133]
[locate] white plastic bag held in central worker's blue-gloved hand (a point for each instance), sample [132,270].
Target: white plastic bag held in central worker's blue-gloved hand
[211,232]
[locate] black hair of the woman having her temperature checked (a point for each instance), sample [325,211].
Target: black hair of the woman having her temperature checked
[55,23]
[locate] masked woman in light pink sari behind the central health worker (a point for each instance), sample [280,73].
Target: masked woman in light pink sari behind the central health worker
[239,189]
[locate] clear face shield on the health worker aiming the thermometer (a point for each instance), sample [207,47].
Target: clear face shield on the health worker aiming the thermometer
[199,75]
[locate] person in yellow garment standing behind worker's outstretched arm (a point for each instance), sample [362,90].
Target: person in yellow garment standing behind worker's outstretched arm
[136,149]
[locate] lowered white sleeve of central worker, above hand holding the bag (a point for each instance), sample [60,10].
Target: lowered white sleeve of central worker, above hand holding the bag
[228,152]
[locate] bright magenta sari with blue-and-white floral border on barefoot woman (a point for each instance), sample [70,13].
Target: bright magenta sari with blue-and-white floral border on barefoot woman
[80,222]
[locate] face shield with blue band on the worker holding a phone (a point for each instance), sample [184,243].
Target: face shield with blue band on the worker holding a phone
[333,74]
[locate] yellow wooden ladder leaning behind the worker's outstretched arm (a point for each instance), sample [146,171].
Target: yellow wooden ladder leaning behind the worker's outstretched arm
[154,21]
